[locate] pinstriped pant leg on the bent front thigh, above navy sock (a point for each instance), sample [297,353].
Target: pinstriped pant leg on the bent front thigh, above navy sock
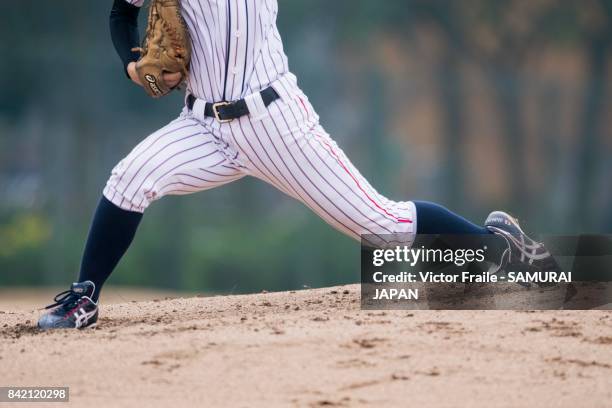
[181,158]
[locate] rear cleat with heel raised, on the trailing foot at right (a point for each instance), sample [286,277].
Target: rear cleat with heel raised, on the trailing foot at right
[523,253]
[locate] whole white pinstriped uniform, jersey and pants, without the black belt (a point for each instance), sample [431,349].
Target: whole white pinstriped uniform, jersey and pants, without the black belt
[288,148]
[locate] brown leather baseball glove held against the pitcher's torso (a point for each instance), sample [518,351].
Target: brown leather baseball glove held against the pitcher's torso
[166,47]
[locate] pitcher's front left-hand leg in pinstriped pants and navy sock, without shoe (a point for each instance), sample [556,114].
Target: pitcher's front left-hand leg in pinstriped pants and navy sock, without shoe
[180,158]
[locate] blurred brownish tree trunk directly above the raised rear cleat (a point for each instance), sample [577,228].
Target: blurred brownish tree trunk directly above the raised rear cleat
[500,36]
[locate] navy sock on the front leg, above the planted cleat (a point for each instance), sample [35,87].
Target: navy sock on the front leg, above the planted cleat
[112,231]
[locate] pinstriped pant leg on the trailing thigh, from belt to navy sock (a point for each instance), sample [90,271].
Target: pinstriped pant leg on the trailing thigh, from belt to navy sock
[300,158]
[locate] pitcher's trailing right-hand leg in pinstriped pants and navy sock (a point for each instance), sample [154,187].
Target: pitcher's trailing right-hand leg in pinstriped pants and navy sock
[326,180]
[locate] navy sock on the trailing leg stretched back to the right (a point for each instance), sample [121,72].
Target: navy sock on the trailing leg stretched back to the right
[433,219]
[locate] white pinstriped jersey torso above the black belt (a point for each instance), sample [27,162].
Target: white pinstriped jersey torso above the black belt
[237,49]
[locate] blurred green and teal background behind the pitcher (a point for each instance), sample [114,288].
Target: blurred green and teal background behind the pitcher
[476,104]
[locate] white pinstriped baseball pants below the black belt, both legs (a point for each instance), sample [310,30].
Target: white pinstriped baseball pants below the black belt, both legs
[284,145]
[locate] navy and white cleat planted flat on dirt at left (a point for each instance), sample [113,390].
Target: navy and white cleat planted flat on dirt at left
[73,309]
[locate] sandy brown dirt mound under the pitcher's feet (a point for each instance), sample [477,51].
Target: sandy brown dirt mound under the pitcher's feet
[314,348]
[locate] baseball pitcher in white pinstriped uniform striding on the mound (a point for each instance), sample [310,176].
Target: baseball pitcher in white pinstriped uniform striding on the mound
[244,115]
